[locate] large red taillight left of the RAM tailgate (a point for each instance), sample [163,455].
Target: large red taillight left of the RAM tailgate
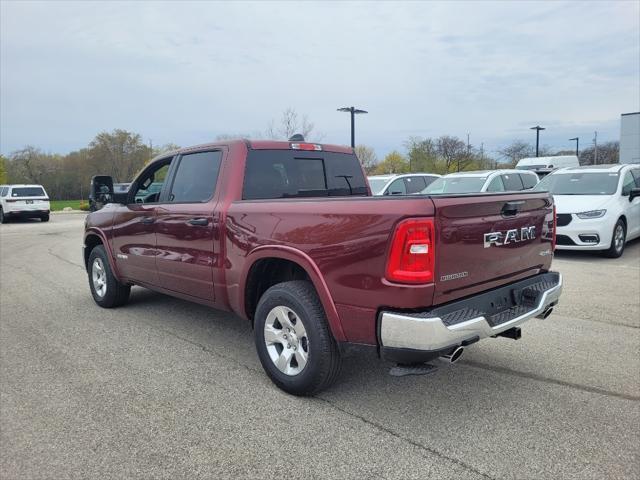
[412,255]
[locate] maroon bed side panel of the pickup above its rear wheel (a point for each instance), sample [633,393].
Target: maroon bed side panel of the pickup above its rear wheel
[346,238]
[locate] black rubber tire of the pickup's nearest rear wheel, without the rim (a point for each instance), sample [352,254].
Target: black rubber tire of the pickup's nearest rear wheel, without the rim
[323,356]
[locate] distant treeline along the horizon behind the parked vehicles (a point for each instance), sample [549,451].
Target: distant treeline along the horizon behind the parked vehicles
[122,154]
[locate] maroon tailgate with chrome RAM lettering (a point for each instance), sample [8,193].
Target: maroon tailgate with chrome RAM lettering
[484,241]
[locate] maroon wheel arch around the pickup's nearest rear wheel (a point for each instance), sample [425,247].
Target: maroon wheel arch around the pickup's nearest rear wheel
[284,263]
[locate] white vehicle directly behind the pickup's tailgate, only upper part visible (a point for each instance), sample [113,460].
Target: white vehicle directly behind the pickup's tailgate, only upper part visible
[483,181]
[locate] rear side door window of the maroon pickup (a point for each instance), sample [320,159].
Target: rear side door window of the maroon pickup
[196,177]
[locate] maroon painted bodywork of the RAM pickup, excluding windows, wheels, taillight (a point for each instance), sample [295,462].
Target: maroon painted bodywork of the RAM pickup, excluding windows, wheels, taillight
[342,243]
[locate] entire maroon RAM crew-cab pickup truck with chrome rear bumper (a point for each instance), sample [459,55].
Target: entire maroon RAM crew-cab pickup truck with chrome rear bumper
[288,236]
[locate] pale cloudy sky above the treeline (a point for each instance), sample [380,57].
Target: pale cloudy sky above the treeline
[186,72]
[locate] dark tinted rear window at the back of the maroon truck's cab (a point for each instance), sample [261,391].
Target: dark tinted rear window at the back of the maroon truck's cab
[271,174]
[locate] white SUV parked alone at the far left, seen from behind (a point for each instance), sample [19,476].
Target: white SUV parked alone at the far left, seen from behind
[26,201]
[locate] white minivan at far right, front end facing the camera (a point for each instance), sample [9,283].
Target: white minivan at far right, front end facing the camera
[598,207]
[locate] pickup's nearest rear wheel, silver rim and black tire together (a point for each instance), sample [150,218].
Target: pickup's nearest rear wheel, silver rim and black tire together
[293,340]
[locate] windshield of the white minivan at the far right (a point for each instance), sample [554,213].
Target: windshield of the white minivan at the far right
[576,183]
